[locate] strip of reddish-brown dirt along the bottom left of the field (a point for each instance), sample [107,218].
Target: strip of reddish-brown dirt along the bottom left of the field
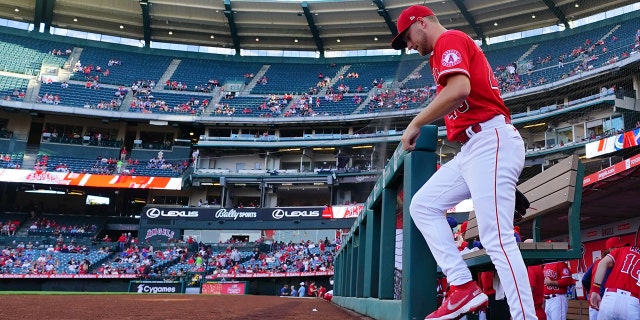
[169,306]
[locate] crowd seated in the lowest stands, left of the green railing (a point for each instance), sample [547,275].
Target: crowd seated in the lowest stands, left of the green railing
[127,256]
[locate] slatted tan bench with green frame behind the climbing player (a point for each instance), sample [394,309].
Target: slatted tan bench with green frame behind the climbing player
[555,196]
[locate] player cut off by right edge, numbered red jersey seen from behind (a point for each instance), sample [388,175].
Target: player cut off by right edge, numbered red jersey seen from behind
[622,289]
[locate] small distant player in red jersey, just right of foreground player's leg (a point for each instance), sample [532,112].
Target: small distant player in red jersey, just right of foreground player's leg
[557,277]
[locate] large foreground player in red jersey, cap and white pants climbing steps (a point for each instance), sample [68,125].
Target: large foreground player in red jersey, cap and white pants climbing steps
[486,169]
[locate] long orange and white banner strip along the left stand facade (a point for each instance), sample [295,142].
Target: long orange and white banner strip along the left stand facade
[89,180]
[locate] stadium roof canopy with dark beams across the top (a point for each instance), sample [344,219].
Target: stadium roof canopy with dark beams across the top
[316,25]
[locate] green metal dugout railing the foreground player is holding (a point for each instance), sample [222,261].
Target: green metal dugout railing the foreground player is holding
[365,264]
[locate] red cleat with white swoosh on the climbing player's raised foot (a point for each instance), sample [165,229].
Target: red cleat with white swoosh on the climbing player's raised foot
[461,300]
